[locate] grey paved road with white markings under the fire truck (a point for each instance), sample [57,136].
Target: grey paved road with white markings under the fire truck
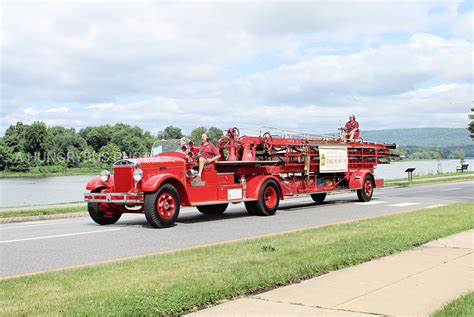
[45,245]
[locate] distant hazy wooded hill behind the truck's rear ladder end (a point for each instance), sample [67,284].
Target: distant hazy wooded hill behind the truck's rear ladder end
[425,137]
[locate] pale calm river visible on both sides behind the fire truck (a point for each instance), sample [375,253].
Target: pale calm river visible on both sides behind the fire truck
[61,189]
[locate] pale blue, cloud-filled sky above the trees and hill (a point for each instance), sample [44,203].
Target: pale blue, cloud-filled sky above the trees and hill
[302,66]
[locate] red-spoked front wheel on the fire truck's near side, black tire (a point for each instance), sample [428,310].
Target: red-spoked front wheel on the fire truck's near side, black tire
[165,217]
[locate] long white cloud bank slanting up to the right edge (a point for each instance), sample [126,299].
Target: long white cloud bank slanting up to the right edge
[385,70]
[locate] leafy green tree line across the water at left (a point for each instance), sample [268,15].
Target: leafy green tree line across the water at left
[24,147]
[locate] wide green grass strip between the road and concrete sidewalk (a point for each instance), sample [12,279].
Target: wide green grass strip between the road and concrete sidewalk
[188,279]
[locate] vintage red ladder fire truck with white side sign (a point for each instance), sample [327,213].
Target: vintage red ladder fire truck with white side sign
[258,169]
